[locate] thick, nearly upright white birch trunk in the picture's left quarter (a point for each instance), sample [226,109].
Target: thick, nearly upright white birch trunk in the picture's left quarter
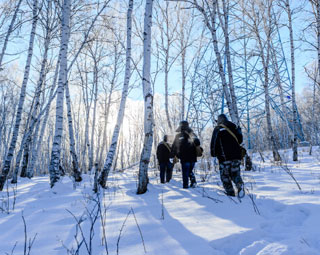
[56,146]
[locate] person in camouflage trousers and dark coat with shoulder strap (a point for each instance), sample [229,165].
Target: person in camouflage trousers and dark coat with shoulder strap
[225,145]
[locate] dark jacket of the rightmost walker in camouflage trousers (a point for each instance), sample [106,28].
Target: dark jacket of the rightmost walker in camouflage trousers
[223,145]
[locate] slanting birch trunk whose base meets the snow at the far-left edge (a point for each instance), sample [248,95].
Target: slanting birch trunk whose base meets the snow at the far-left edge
[15,133]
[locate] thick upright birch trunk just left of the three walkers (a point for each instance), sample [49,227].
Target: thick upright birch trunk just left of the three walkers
[148,101]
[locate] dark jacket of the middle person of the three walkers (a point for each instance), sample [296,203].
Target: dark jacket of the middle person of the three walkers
[184,145]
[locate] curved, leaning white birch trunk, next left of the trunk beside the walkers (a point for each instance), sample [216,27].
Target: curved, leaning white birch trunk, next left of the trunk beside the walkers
[113,146]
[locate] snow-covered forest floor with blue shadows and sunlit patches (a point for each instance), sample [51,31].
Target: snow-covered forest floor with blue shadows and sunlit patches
[274,217]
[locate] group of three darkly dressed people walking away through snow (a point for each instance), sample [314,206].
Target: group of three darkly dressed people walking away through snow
[225,146]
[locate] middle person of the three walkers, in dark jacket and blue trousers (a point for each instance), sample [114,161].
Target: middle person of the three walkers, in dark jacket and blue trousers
[184,147]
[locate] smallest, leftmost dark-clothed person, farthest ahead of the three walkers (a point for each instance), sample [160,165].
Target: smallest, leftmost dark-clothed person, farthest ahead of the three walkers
[163,155]
